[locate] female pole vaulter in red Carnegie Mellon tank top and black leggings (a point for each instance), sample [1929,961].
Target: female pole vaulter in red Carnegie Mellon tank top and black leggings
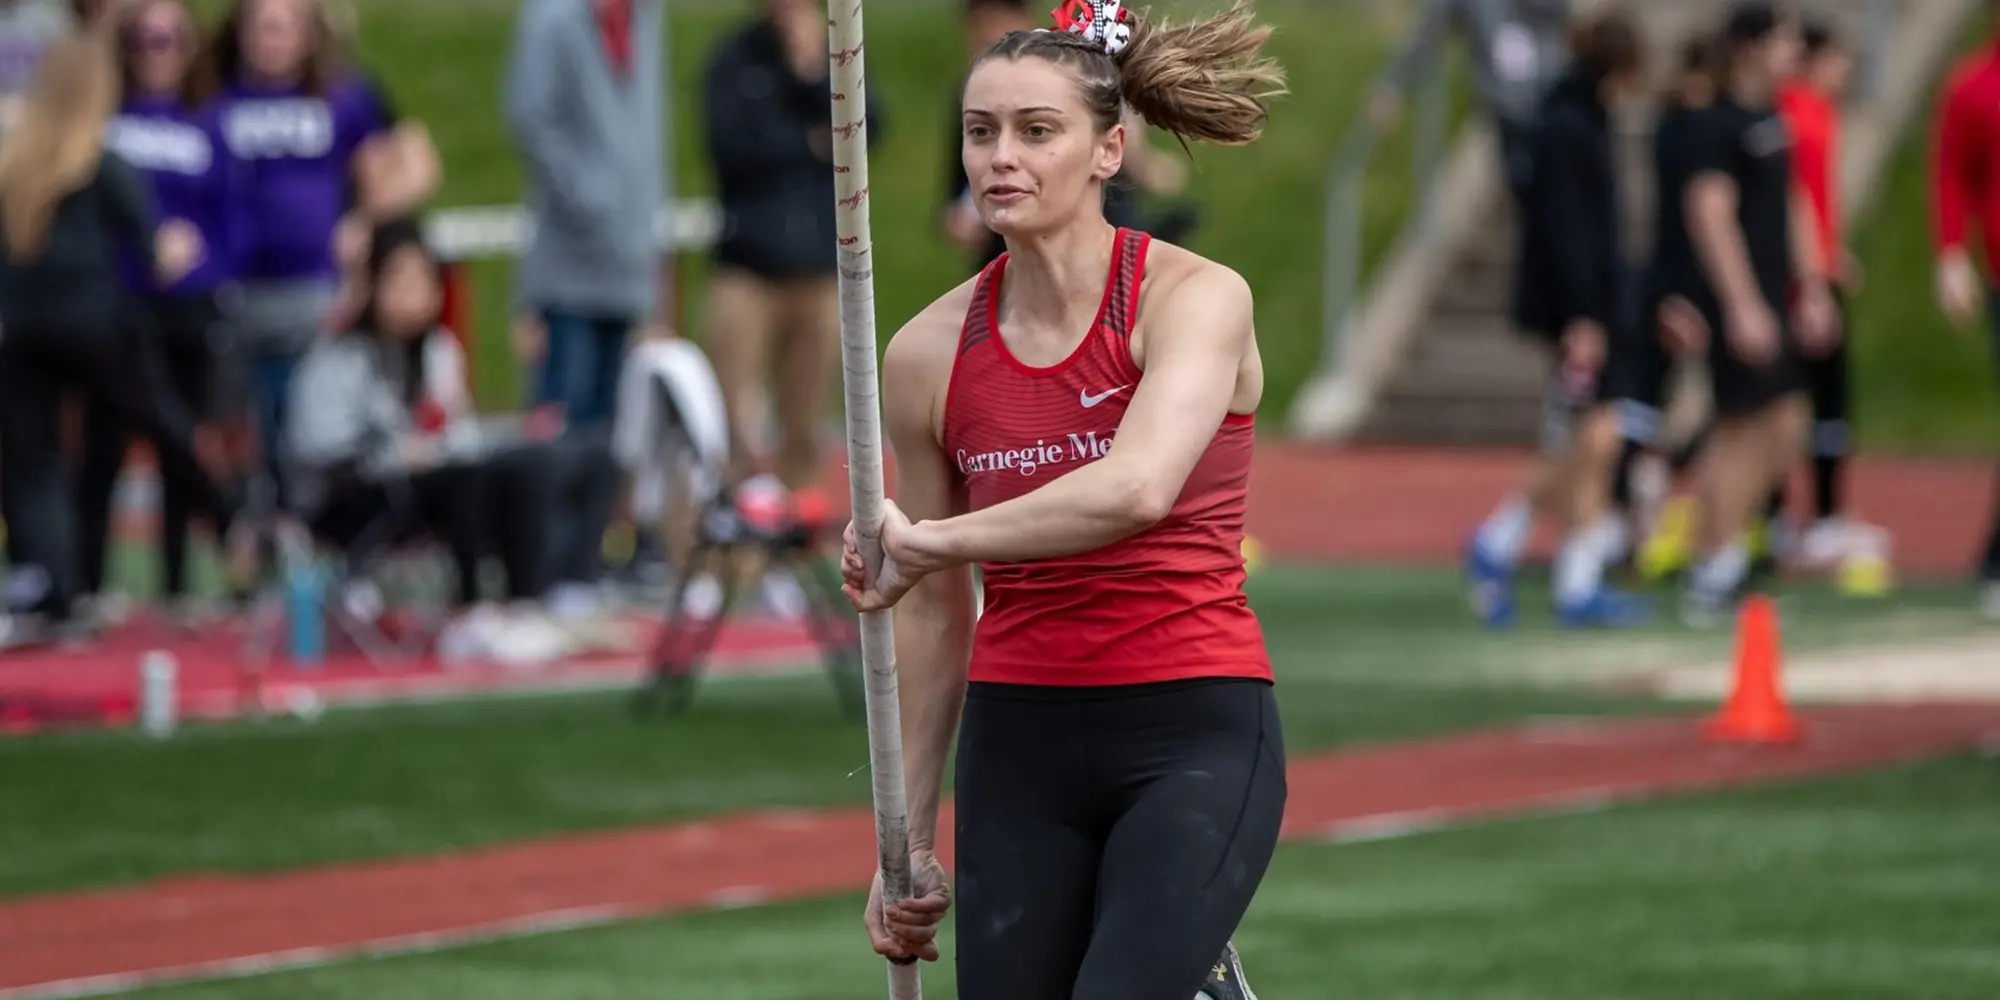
[1121,767]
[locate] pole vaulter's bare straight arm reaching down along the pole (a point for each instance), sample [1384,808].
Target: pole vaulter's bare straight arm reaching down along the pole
[935,619]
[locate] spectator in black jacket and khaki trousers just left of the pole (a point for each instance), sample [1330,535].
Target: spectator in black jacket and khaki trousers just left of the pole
[773,299]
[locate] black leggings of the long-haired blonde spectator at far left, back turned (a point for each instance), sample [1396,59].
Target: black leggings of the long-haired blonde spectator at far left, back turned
[39,365]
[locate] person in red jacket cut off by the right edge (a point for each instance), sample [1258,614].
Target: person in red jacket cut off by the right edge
[1965,195]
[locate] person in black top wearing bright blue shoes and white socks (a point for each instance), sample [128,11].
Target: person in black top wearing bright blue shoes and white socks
[1573,291]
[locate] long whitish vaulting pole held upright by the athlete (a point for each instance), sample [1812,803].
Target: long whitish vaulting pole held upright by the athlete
[865,455]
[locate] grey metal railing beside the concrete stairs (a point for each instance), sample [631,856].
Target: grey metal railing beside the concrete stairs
[1347,185]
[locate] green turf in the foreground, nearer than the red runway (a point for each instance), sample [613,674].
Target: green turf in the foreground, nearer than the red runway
[1871,887]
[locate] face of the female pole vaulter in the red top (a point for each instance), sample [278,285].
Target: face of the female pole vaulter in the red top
[1031,149]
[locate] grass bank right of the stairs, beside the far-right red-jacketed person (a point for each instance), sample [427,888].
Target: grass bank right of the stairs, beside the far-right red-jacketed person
[1919,385]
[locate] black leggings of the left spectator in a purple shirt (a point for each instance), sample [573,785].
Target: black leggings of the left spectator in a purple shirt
[175,341]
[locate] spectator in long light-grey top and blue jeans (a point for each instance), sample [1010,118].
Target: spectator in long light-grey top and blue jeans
[585,107]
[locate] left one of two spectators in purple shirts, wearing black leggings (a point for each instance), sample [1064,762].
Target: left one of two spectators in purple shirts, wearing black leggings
[173,137]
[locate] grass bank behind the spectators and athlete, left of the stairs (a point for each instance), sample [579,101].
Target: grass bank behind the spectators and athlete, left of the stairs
[443,63]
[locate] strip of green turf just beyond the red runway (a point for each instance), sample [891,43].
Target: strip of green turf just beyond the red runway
[1363,655]
